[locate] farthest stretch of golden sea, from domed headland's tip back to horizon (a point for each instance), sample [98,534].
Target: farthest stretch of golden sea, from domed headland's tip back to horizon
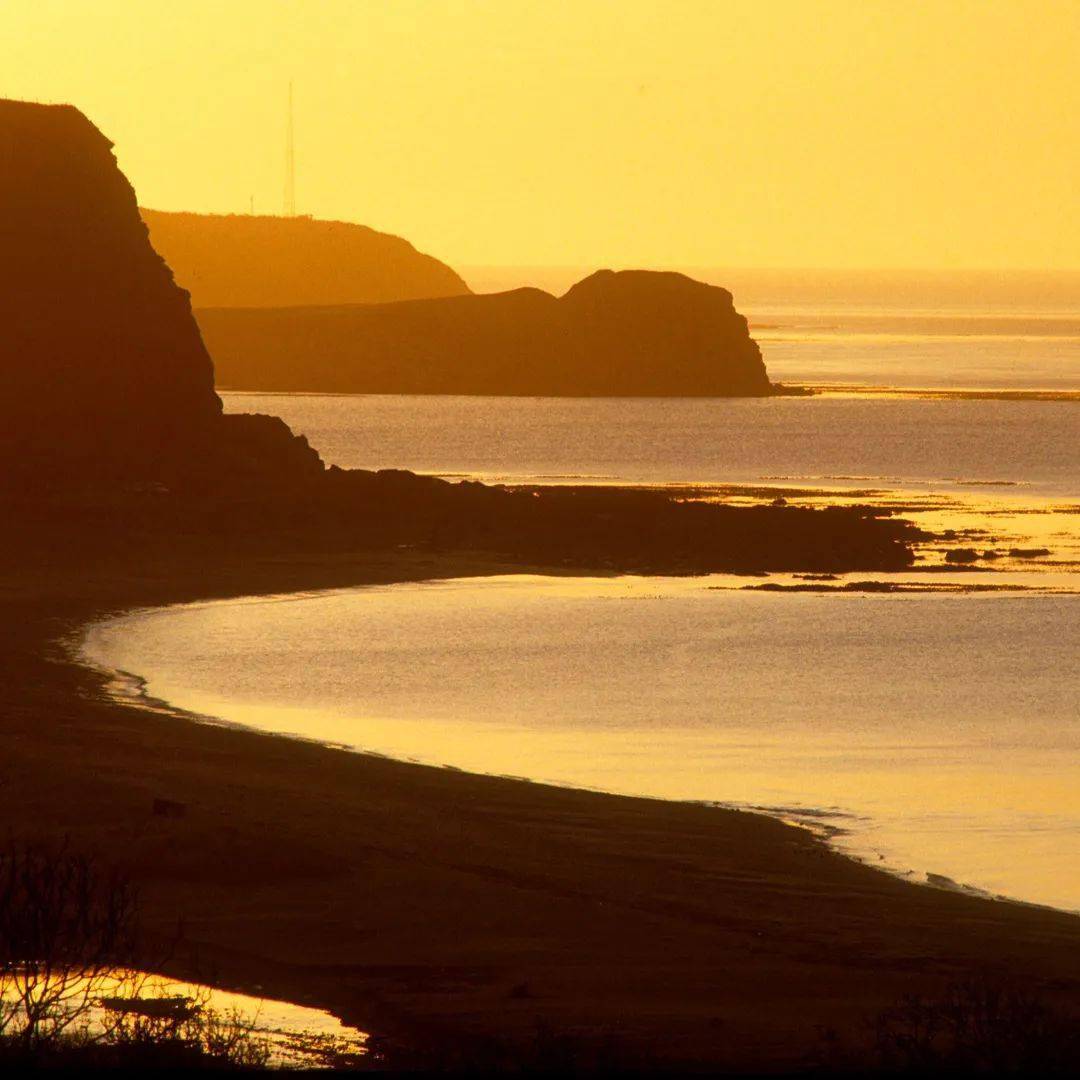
[985,330]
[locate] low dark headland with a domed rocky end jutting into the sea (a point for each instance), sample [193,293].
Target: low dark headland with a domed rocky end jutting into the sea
[633,333]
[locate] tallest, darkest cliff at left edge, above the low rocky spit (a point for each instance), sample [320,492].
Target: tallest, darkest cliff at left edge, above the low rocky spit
[105,374]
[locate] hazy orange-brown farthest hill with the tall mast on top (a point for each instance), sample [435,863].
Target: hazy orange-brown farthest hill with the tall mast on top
[261,262]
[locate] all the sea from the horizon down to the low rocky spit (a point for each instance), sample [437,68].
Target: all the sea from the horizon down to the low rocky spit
[983,332]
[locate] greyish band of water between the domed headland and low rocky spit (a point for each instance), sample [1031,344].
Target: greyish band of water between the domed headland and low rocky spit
[840,442]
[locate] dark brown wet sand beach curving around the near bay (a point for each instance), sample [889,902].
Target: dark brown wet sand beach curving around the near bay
[454,913]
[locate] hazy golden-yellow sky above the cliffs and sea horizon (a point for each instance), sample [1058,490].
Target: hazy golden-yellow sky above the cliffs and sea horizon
[833,133]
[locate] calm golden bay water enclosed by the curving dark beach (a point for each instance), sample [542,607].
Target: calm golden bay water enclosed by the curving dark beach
[939,733]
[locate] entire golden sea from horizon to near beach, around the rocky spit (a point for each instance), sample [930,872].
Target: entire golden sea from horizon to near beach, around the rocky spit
[927,722]
